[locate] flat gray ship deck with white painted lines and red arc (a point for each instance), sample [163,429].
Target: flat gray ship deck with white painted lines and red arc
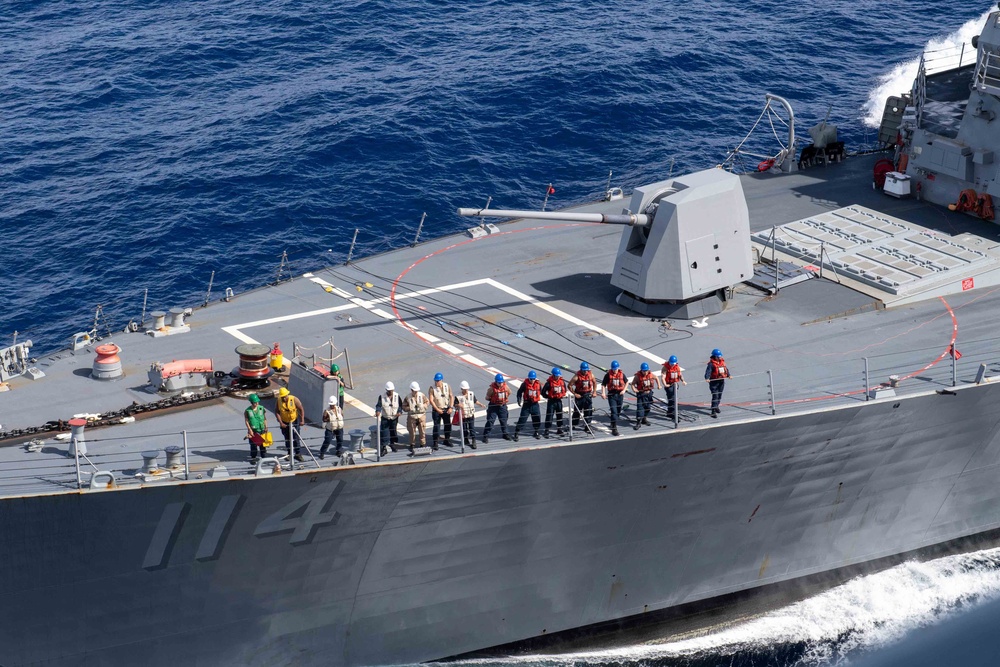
[532,296]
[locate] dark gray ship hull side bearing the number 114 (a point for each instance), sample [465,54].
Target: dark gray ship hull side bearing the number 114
[389,564]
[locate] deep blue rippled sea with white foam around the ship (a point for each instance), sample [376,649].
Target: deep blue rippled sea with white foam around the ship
[144,145]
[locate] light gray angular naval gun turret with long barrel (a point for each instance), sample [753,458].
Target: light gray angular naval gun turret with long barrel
[687,240]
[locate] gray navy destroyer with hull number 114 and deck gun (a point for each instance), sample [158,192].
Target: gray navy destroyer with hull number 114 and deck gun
[858,427]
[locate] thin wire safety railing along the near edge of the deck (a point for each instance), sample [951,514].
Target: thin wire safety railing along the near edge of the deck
[109,461]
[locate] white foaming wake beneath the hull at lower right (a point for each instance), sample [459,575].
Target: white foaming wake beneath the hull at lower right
[861,615]
